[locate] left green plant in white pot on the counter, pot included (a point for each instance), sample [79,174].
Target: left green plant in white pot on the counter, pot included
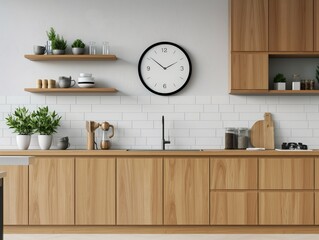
[22,123]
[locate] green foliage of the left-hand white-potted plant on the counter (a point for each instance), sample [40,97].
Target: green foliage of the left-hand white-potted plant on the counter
[21,121]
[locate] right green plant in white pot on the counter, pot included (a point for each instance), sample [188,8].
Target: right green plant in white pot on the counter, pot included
[46,123]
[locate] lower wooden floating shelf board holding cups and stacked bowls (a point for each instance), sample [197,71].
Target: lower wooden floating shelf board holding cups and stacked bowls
[71,90]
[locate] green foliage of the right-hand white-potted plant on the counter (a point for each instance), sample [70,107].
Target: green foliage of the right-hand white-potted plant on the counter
[45,122]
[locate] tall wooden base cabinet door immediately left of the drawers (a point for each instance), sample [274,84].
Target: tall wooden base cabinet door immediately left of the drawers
[186,191]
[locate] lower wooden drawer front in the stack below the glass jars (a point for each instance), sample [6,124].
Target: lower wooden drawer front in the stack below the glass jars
[233,208]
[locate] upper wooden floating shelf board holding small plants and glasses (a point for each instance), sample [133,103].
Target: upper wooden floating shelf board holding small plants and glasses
[71,57]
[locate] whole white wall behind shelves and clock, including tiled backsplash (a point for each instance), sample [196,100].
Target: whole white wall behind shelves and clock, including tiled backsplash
[196,117]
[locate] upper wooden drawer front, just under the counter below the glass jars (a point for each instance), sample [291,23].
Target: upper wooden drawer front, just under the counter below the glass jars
[233,173]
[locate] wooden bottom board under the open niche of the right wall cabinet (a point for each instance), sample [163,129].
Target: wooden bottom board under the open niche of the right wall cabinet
[274,92]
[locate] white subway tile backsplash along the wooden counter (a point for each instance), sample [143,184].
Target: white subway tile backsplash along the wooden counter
[190,121]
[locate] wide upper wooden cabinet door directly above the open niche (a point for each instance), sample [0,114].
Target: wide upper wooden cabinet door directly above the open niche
[290,25]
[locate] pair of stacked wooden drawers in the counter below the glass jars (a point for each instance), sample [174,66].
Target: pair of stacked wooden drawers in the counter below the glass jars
[233,195]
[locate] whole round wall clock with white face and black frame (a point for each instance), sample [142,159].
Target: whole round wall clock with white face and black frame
[164,68]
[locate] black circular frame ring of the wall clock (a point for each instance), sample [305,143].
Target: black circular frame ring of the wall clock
[140,74]
